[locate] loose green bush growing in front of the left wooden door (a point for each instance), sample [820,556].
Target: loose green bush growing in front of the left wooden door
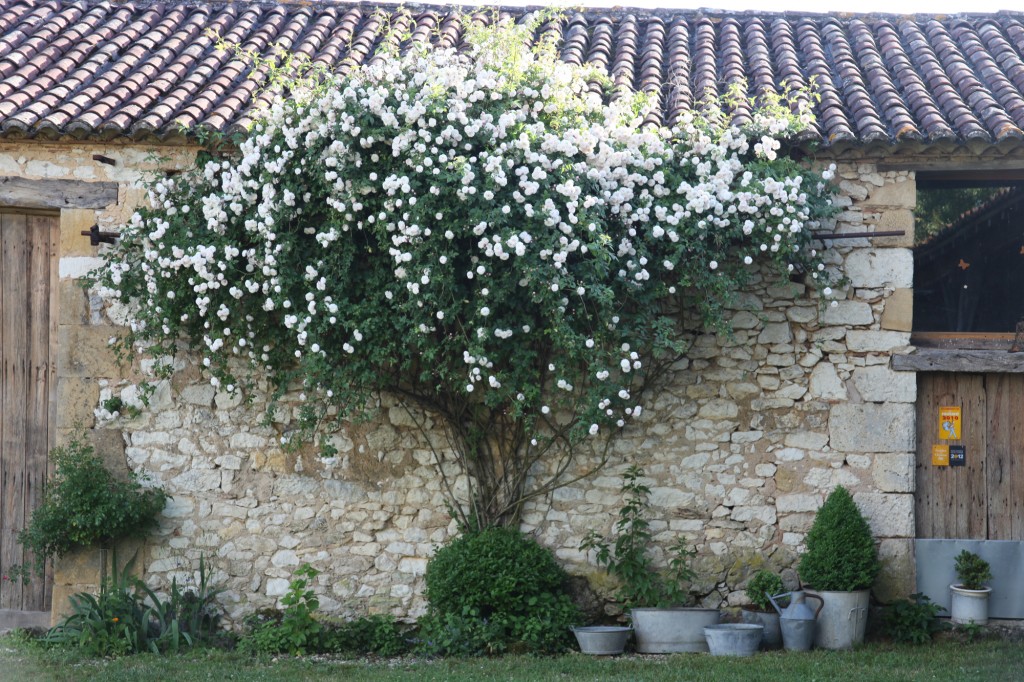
[86,505]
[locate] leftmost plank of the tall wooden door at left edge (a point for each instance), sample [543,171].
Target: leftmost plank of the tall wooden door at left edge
[15,363]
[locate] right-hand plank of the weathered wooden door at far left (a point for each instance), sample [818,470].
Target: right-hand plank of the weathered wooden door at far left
[37,398]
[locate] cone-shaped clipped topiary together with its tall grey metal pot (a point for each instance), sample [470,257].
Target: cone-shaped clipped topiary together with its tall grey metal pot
[841,565]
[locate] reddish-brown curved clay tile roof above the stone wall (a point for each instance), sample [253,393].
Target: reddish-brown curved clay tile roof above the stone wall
[141,70]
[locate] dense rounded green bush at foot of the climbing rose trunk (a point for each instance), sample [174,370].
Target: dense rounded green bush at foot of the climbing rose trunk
[495,591]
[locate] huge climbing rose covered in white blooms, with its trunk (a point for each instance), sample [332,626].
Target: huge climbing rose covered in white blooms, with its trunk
[484,238]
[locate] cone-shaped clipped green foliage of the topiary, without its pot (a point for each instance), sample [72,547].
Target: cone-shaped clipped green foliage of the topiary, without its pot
[841,555]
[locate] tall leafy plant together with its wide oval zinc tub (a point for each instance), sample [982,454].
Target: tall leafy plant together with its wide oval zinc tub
[656,601]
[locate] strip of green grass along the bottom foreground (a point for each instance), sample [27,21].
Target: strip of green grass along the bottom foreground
[947,661]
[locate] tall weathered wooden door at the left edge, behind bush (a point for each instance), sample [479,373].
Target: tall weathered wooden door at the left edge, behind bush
[29,246]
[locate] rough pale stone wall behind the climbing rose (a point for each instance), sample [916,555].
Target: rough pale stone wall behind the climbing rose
[742,445]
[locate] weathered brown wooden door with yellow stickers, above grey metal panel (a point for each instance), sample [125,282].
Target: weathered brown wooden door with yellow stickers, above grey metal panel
[985,499]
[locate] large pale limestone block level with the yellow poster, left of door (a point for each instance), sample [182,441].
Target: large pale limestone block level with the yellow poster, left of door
[873,429]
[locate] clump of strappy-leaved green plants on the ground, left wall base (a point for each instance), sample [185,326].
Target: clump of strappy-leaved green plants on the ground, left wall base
[129,618]
